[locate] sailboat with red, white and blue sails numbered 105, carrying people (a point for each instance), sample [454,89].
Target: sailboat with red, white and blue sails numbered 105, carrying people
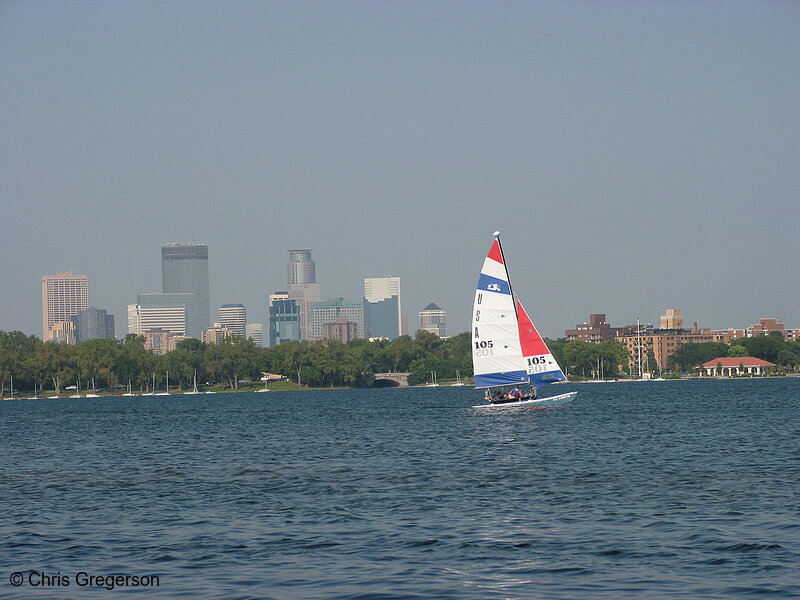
[507,349]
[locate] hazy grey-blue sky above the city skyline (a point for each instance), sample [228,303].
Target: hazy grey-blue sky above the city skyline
[636,156]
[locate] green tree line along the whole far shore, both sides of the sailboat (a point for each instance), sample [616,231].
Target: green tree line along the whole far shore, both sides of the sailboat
[110,362]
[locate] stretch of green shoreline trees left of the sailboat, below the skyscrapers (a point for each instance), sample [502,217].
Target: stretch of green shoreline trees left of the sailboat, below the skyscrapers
[110,363]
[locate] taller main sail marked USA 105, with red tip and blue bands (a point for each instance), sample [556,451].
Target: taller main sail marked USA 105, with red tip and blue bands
[496,352]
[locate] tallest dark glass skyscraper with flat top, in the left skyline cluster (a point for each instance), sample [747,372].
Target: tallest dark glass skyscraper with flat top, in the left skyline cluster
[184,270]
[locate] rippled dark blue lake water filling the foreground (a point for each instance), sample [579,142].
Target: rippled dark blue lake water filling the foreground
[685,489]
